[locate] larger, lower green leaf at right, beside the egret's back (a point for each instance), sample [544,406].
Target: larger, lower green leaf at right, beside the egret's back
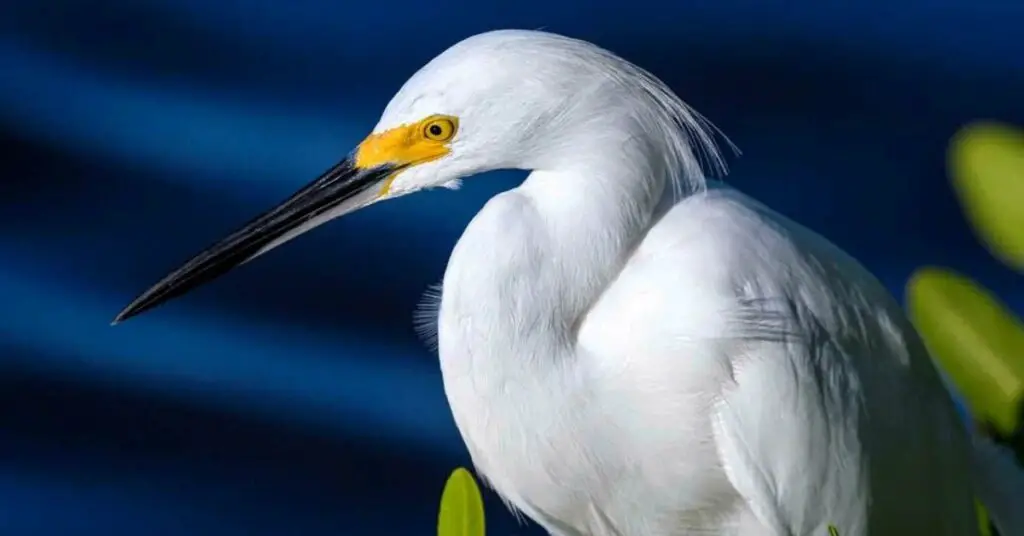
[975,340]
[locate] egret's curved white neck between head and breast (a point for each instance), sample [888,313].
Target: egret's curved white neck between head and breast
[535,261]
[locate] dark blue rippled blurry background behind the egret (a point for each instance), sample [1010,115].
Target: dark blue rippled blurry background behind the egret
[293,397]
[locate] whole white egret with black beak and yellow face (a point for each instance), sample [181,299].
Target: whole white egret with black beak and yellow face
[627,349]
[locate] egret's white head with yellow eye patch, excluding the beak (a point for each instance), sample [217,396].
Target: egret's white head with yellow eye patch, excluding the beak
[503,100]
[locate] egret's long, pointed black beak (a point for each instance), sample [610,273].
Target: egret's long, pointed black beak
[340,190]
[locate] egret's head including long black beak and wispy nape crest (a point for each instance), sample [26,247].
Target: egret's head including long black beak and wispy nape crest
[501,100]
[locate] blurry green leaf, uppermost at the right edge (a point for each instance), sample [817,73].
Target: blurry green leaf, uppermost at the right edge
[987,163]
